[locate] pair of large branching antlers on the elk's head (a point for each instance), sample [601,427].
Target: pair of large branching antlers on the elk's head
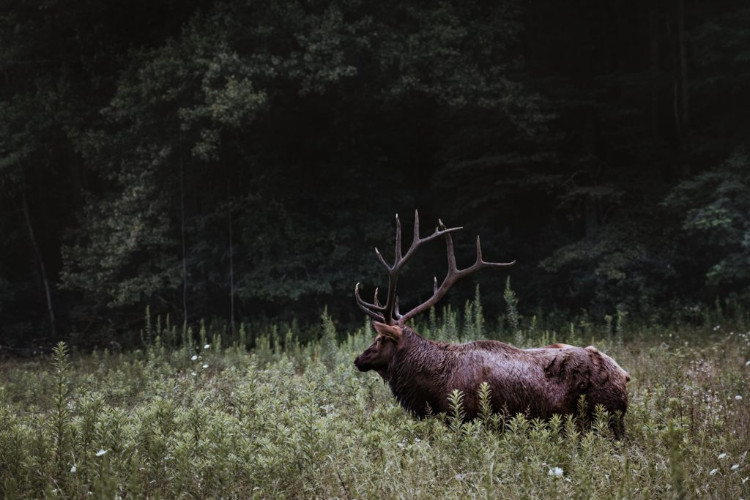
[389,312]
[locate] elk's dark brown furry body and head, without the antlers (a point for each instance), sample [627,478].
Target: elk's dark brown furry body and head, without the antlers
[537,382]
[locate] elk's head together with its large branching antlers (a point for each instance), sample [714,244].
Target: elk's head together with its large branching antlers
[388,320]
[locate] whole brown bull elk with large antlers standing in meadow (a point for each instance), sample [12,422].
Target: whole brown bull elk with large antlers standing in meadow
[536,382]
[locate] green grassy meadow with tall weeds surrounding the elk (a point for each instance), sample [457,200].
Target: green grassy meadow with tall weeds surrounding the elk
[292,420]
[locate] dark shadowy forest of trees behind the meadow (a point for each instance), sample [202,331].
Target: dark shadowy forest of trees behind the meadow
[239,160]
